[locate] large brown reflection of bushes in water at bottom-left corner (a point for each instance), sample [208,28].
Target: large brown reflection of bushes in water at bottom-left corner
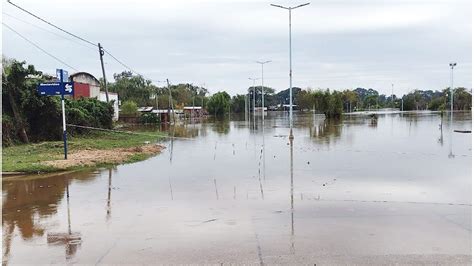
[25,199]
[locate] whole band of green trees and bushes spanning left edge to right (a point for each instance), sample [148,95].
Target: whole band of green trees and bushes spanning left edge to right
[28,117]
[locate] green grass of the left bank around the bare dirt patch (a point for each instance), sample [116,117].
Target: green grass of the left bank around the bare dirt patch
[31,158]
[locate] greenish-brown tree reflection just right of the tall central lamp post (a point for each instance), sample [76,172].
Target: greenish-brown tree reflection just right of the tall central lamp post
[326,131]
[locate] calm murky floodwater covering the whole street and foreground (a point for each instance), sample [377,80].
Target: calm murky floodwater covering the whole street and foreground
[359,190]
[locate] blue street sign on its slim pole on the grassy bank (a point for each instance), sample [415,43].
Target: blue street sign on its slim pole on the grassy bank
[60,88]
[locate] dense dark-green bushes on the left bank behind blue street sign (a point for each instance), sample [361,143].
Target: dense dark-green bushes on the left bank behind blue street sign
[28,117]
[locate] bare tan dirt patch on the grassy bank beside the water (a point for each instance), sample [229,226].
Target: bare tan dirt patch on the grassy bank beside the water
[92,157]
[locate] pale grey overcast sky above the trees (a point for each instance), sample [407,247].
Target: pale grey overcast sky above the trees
[337,44]
